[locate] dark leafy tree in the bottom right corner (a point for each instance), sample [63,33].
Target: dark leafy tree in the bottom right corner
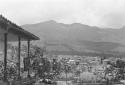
[115,71]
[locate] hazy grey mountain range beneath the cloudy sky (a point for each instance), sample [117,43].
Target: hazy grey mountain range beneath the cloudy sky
[78,37]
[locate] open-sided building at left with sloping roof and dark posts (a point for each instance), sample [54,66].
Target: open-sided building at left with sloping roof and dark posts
[10,32]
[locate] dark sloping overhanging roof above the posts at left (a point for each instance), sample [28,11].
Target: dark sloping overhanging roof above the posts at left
[13,28]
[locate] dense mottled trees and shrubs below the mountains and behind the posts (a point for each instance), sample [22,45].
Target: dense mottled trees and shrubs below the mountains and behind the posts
[46,67]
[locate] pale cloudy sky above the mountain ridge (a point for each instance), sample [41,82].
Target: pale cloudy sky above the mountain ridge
[104,13]
